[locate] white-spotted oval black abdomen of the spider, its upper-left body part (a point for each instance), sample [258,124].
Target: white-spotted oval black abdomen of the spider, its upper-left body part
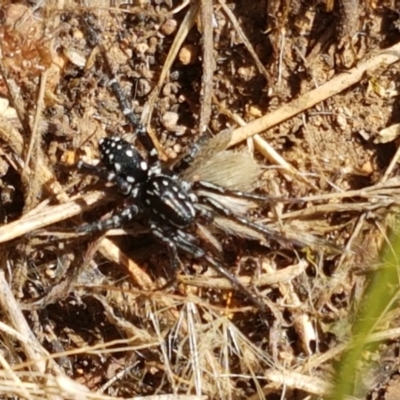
[123,158]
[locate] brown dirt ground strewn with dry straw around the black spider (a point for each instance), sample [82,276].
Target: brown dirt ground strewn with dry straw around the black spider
[307,88]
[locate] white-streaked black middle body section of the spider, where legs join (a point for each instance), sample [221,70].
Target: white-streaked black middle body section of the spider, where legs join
[168,200]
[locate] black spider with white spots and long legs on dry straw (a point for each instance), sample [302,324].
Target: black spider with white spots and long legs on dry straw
[181,212]
